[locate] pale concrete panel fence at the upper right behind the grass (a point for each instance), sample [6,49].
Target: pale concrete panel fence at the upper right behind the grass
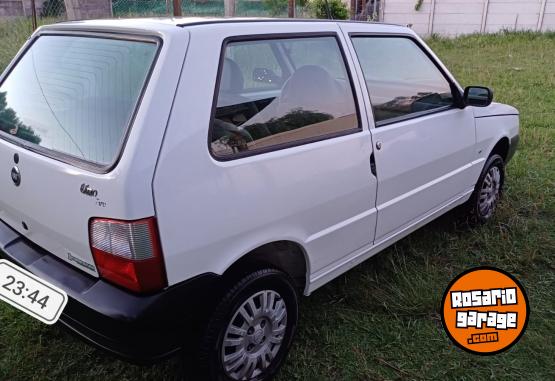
[454,17]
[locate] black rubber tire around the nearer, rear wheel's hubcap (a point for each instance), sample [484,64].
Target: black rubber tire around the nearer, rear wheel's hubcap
[211,362]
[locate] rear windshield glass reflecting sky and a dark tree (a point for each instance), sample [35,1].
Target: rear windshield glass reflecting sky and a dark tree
[75,95]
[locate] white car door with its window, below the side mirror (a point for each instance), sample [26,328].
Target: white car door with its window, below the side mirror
[424,145]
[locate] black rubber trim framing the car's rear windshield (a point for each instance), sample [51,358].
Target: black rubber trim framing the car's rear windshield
[67,158]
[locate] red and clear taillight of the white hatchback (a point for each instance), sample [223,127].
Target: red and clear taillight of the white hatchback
[128,253]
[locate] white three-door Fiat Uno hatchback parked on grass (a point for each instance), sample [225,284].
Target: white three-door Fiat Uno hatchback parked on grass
[186,180]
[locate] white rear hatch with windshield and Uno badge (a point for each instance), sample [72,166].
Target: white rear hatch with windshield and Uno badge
[65,110]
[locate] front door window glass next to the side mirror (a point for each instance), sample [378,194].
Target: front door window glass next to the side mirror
[401,79]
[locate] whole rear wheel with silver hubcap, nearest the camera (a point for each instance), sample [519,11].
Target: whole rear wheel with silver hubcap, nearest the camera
[251,330]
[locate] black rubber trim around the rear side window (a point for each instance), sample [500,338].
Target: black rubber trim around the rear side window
[296,143]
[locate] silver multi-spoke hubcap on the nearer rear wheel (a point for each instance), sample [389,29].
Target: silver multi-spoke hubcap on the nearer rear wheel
[254,335]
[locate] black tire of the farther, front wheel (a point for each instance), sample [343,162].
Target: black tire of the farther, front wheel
[478,213]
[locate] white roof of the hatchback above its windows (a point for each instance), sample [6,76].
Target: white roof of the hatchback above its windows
[174,24]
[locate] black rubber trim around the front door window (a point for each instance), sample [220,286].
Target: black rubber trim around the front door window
[457,96]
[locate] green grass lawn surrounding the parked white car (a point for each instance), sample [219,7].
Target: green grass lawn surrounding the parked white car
[381,320]
